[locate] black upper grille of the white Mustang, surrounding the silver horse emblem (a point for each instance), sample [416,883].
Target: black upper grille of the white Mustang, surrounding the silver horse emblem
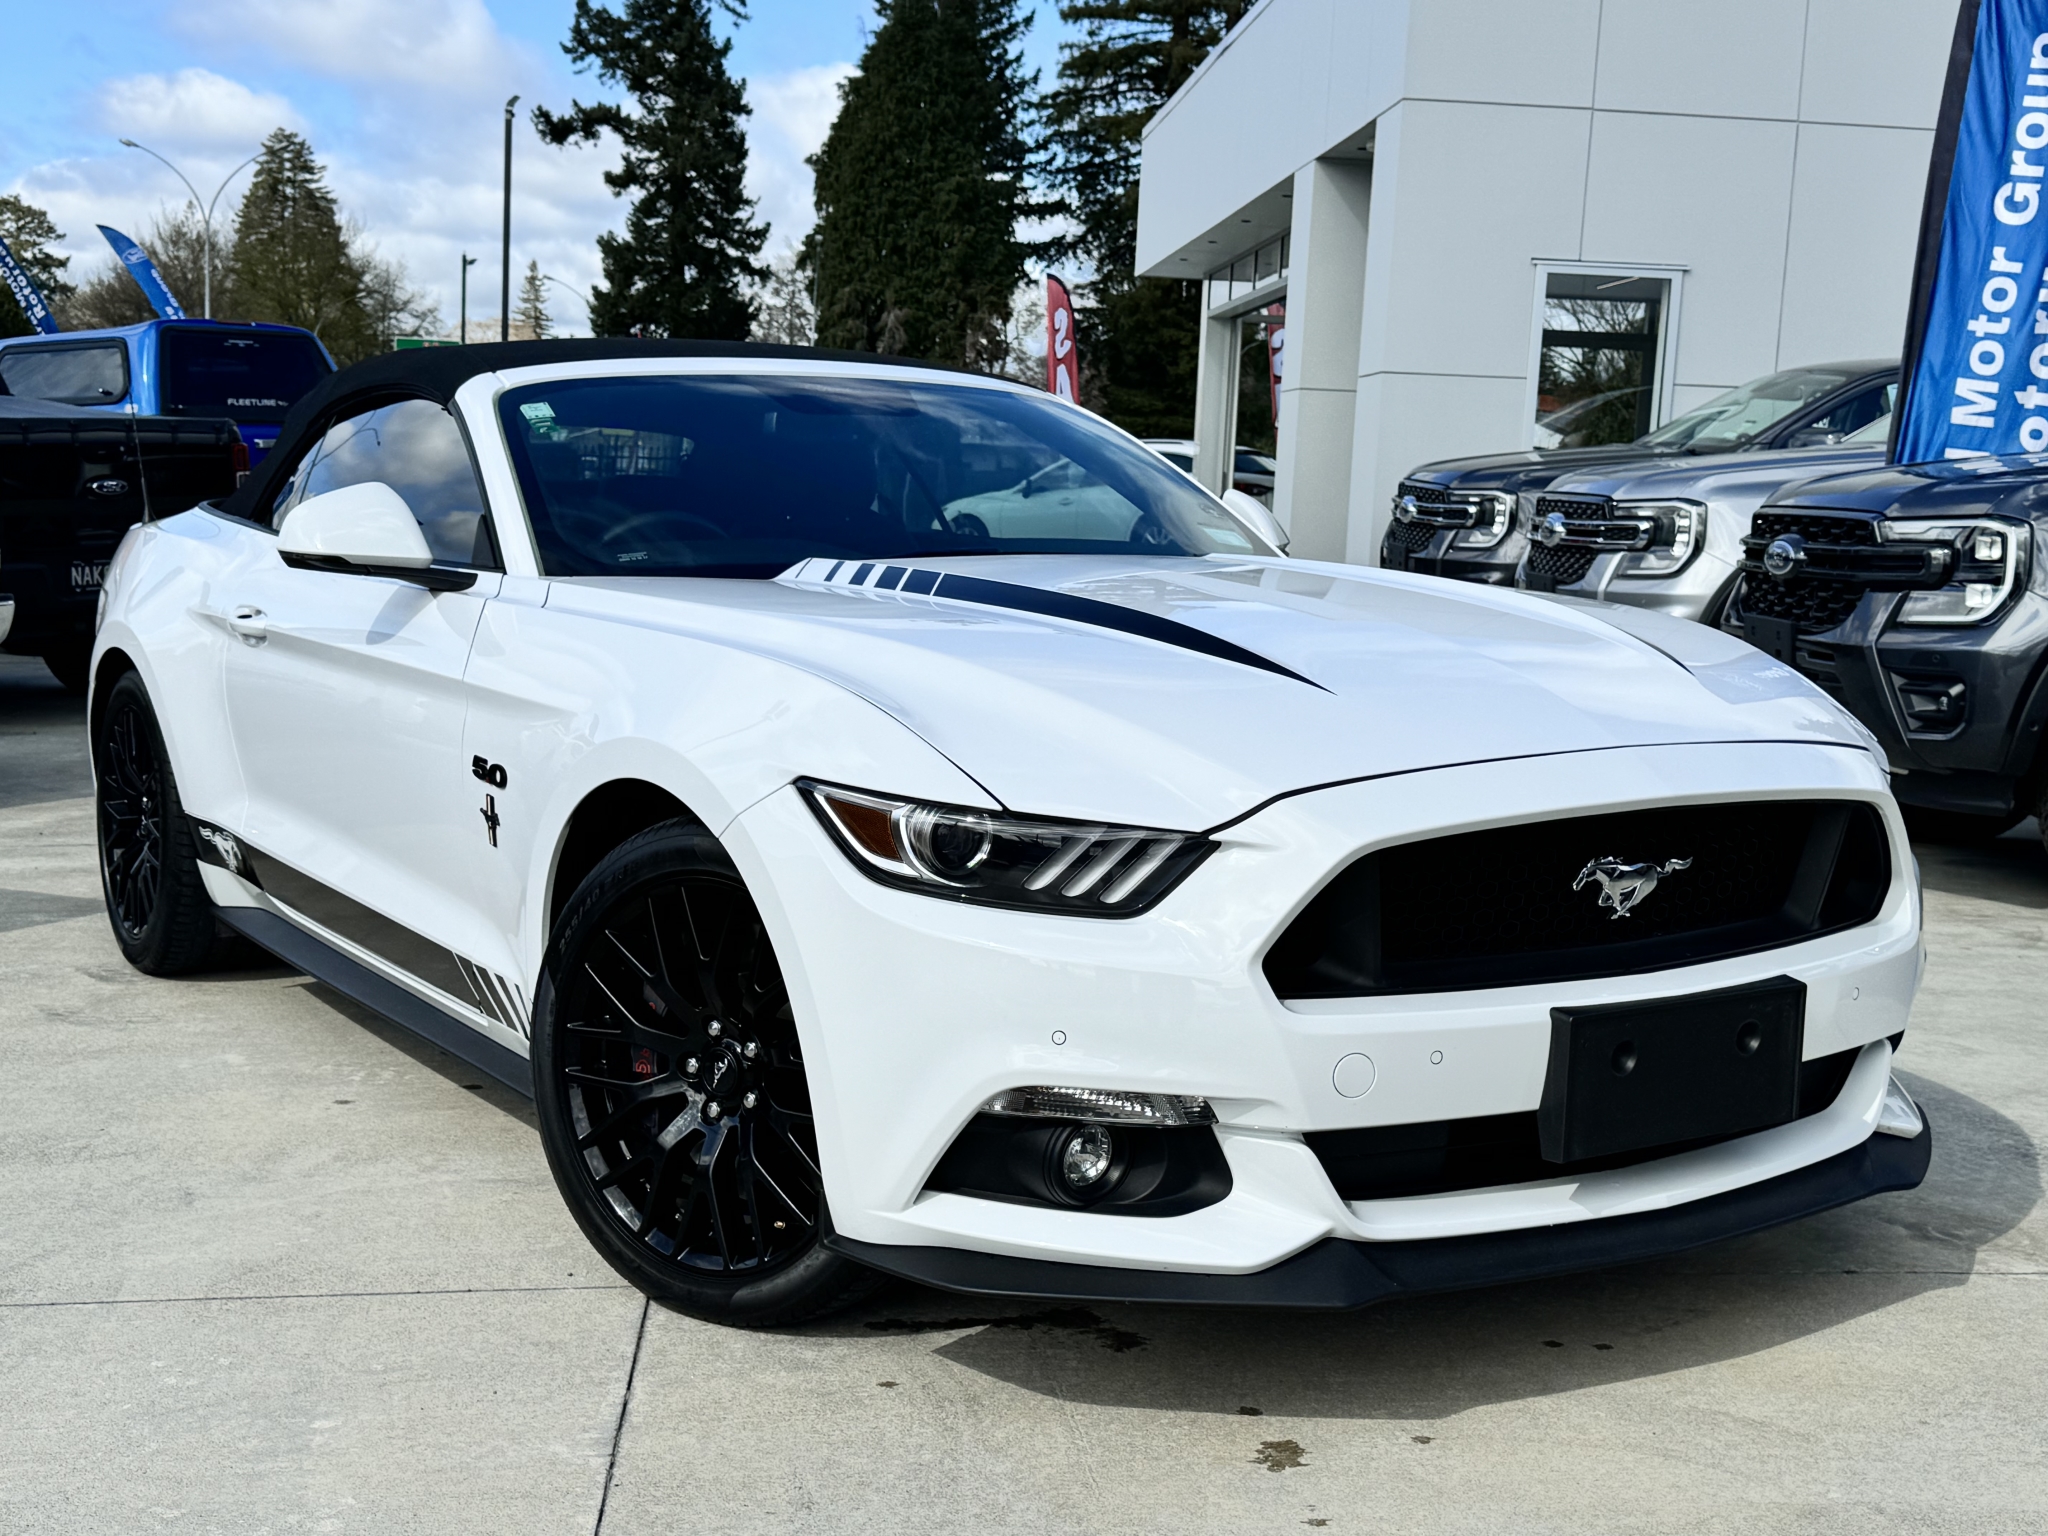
[1500,910]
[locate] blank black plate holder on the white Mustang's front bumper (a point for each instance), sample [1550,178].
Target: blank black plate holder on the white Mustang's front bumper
[1635,1076]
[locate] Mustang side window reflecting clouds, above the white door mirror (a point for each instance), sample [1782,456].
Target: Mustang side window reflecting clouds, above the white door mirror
[417,450]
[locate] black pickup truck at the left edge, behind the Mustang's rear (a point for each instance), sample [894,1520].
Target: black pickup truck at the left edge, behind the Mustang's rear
[71,484]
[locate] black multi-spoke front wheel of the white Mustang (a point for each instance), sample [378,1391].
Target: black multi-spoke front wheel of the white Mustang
[671,1089]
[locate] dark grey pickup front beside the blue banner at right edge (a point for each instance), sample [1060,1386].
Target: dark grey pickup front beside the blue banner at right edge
[1918,597]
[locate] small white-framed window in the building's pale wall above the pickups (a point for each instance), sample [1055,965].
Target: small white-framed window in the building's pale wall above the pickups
[1601,357]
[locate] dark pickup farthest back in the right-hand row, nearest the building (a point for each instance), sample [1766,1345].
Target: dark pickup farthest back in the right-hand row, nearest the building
[1459,517]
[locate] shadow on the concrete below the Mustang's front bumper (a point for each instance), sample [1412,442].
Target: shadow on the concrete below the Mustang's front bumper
[1437,1357]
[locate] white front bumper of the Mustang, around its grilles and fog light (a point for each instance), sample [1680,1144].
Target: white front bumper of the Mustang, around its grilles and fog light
[916,1011]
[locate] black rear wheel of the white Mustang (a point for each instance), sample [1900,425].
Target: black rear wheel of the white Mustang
[157,898]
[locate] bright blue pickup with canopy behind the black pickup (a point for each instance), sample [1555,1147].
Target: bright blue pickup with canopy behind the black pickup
[173,368]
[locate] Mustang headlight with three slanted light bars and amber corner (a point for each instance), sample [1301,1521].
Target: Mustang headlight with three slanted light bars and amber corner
[1002,861]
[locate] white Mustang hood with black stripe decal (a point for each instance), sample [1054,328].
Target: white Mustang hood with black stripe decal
[1185,693]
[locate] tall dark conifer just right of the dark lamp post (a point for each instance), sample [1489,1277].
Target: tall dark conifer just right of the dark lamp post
[689,251]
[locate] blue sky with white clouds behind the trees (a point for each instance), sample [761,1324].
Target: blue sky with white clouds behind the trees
[404,103]
